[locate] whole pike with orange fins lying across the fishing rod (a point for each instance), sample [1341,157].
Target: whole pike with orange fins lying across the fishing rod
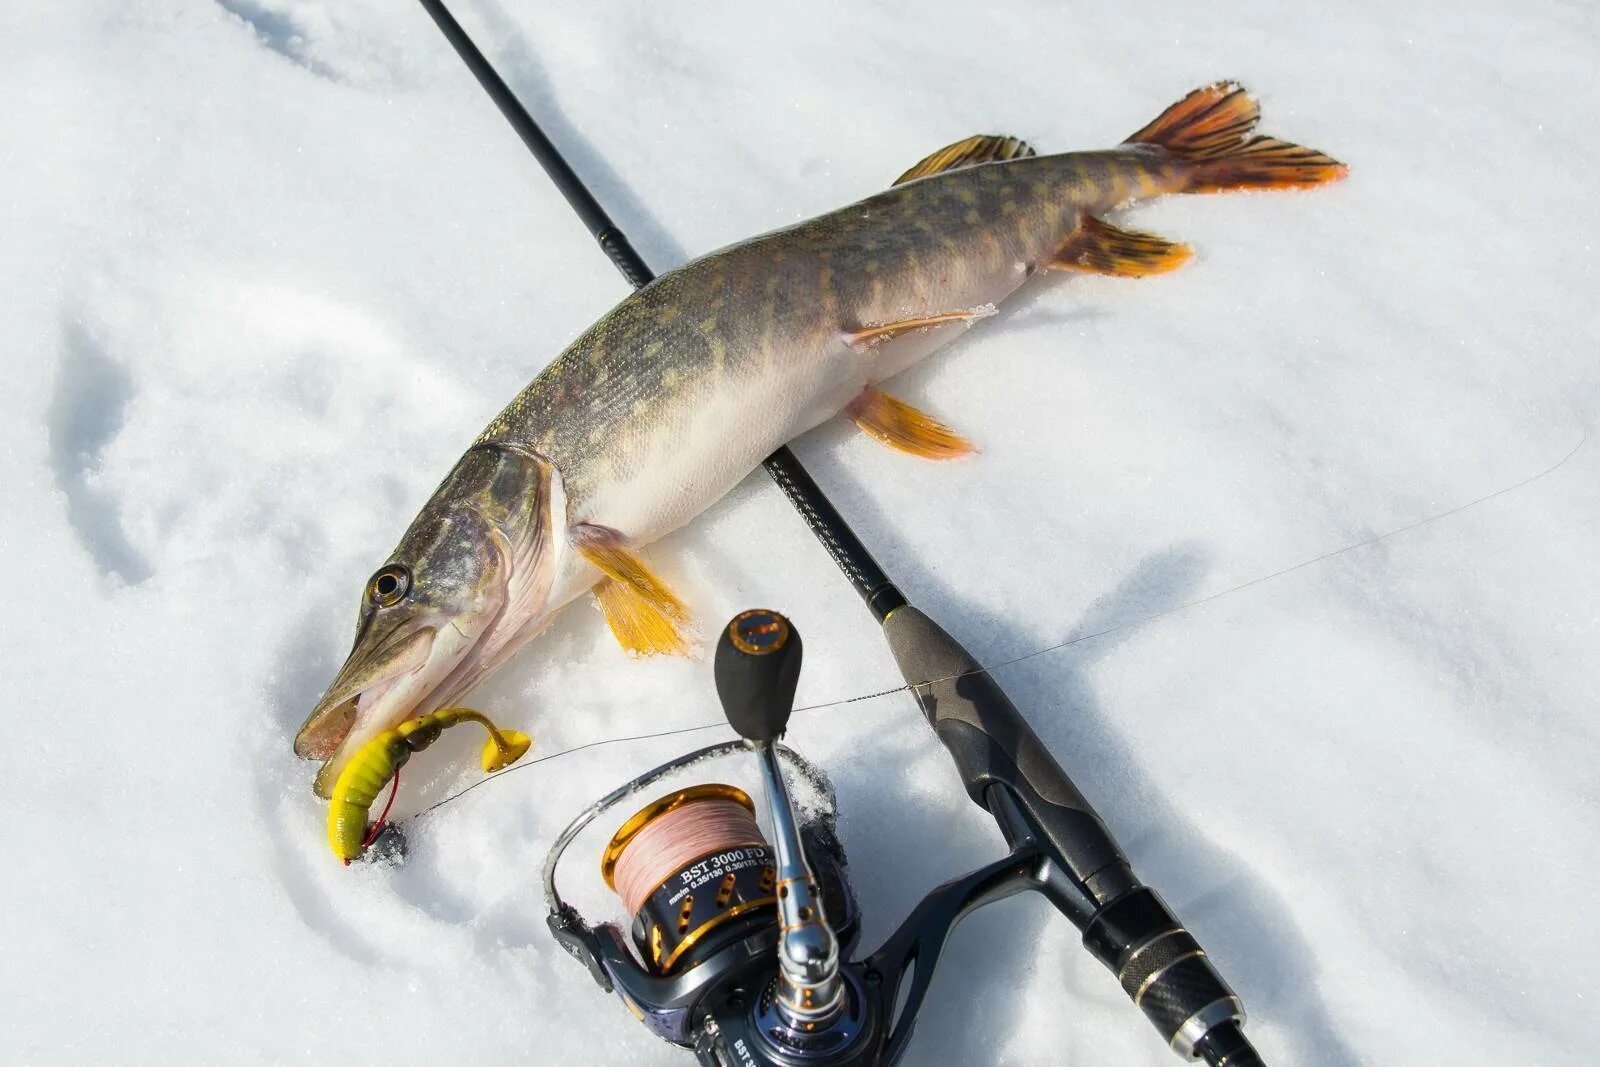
[682,390]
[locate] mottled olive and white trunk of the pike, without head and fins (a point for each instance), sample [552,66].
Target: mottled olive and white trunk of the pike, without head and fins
[684,388]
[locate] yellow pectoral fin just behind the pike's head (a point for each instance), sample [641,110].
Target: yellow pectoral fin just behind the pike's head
[644,613]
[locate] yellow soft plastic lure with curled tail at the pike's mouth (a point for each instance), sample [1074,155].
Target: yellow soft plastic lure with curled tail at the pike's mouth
[377,762]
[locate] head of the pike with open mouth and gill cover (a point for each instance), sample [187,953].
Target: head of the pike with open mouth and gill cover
[470,575]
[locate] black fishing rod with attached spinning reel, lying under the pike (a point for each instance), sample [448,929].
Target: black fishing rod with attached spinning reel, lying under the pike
[772,988]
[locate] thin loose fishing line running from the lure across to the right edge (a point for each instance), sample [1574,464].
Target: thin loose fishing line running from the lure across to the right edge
[1082,639]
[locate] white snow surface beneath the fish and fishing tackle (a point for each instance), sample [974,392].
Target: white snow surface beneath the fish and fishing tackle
[270,265]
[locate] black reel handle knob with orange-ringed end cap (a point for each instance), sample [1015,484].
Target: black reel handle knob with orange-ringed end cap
[758,671]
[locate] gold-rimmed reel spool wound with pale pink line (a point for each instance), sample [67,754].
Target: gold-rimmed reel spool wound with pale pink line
[694,873]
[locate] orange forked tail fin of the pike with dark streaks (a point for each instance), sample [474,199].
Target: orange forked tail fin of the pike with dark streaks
[1212,132]
